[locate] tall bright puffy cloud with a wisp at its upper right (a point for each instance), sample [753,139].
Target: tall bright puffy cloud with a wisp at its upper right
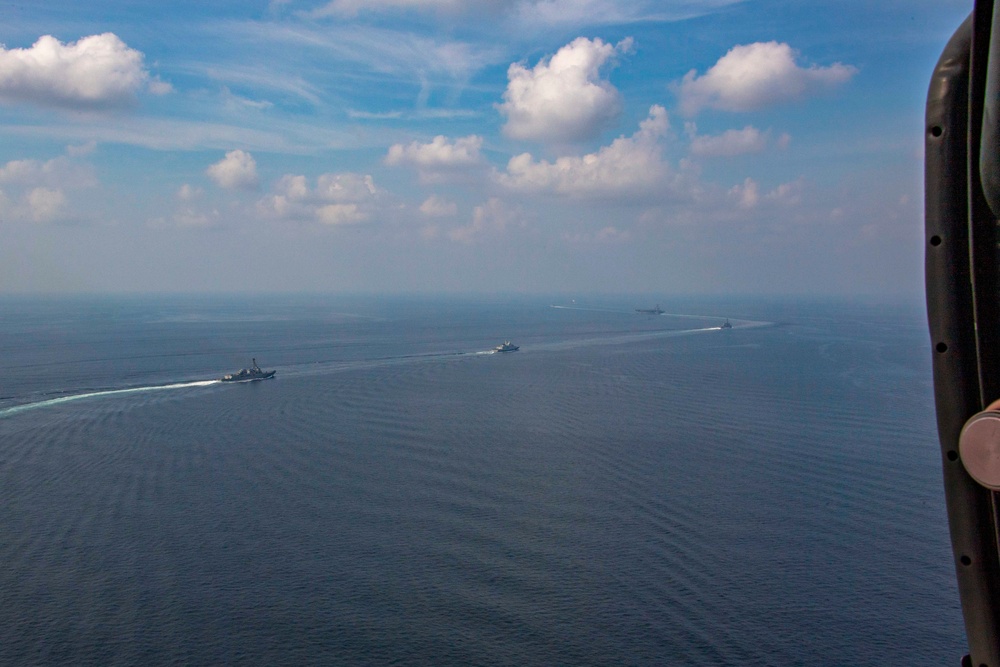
[563,99]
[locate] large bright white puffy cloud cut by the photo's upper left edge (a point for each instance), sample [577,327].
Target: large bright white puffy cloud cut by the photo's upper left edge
[99,71]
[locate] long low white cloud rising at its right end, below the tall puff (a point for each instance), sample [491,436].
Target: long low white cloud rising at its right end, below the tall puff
[629,165]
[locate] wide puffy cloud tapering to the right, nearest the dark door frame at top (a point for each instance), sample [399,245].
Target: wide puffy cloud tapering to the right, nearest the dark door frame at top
[754,76]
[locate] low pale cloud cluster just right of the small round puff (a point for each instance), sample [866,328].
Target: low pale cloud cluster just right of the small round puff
[337,199]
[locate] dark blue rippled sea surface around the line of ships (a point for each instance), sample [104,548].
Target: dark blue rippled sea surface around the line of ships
[625,490]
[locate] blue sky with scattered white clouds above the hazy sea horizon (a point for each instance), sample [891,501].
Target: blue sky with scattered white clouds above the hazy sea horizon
[716,147]
